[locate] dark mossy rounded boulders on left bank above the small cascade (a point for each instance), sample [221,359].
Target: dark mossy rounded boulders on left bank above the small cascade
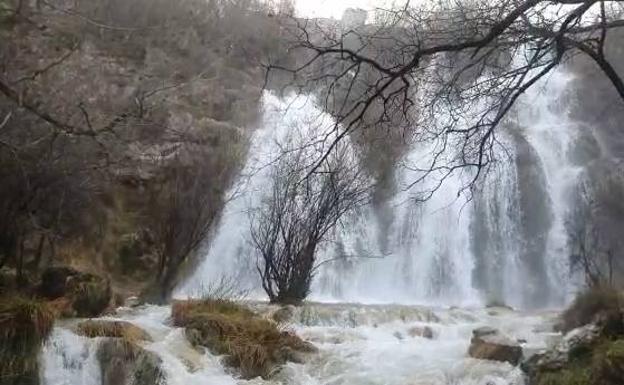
[86,295]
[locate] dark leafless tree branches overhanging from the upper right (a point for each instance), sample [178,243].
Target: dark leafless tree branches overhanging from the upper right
[446,73]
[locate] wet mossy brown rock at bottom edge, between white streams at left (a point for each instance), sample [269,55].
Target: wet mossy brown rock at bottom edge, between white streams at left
[125,363]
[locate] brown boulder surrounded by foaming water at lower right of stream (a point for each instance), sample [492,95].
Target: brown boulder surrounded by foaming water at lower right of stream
[490,344]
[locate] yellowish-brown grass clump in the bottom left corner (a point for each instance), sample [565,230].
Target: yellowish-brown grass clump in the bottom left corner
[25,324]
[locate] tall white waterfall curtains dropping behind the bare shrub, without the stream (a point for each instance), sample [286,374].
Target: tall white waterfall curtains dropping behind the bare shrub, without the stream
[505,244]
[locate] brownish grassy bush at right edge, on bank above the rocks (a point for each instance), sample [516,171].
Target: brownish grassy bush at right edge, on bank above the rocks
[598,304]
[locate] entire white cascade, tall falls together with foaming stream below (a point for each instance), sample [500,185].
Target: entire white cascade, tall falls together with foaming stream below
[507,244]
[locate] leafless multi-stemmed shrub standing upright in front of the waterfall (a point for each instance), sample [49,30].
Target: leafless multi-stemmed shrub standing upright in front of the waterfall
[298,214]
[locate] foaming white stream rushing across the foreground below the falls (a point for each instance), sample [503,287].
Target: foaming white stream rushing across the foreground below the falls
[358,344]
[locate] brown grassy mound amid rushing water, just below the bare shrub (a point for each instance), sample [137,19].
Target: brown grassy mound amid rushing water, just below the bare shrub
[250,343]
